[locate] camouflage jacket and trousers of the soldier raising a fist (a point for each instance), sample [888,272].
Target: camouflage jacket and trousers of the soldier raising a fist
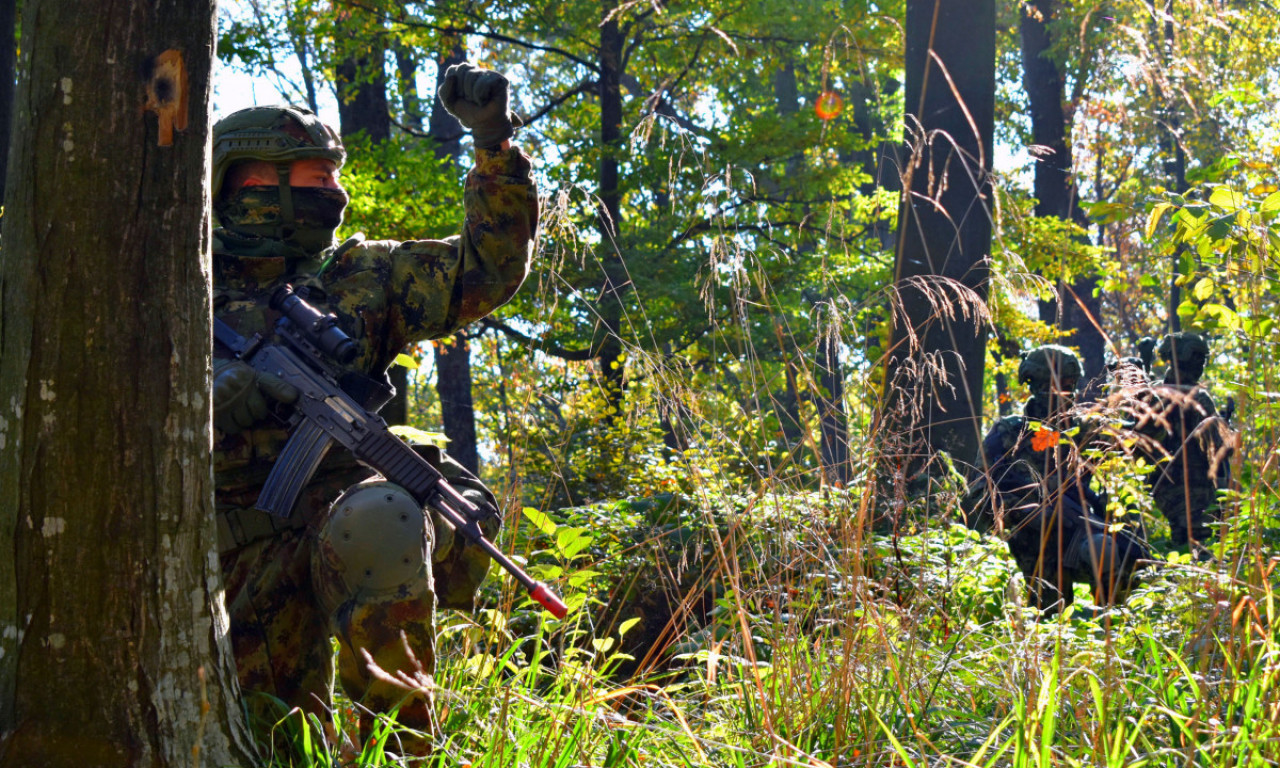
[286,592]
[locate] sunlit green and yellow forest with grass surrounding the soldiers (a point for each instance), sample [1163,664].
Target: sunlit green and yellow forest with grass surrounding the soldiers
[685,409]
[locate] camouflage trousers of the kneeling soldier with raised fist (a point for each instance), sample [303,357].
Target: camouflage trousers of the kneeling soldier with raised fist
[287,601]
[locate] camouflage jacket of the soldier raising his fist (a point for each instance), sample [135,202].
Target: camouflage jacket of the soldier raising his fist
[387,295]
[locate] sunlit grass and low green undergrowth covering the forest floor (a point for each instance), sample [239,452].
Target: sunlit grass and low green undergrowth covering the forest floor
[751,632]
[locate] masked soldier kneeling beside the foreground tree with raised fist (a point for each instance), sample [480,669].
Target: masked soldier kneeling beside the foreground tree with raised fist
[358,559]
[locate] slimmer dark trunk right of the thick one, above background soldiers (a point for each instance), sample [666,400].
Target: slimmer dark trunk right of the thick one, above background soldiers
[1057,195]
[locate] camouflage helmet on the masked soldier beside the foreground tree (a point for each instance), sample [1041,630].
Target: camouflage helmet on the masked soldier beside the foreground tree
[278,135]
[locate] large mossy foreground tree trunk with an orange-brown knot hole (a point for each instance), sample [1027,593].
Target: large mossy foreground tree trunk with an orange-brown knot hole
[115,637]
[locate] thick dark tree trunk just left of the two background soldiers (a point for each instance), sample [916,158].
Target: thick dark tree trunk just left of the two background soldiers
[936,359]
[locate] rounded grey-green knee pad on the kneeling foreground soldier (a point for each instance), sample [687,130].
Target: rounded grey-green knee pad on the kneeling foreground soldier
[376,538]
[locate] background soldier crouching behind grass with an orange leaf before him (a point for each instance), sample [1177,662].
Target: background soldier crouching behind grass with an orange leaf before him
[1041,497]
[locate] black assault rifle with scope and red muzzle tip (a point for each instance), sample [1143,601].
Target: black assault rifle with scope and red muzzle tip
[340,406]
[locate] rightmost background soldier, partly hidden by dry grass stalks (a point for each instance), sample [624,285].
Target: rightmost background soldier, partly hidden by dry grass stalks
[1190,442]
